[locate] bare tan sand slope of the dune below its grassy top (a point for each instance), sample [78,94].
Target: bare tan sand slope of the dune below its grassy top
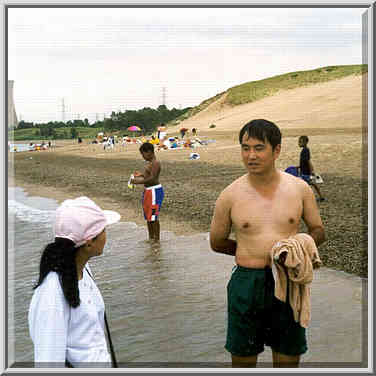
[333,104]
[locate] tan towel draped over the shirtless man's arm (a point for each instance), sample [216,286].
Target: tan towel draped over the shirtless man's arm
[302,257]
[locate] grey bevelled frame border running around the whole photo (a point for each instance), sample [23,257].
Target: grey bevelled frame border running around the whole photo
[368,57]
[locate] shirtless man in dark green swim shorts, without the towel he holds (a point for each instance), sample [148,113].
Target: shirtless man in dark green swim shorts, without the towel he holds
[263,206]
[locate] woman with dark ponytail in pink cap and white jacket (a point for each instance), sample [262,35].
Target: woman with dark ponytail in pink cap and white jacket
[66,313]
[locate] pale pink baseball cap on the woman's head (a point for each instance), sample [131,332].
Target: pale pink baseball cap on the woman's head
[82,219]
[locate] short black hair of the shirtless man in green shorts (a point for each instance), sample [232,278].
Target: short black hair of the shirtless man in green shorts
[262,130]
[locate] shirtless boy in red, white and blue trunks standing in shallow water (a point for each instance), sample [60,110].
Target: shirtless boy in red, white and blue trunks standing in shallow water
[153,193]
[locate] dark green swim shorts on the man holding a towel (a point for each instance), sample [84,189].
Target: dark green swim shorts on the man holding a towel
[257,318]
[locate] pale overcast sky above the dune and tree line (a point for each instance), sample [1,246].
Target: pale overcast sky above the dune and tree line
[77,63]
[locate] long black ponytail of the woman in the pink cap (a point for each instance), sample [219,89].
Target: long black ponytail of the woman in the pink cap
[60,257]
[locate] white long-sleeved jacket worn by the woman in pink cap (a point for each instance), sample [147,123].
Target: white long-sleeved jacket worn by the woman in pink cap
[60,332]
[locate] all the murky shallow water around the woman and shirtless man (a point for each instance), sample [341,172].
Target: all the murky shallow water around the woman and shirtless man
[166,306]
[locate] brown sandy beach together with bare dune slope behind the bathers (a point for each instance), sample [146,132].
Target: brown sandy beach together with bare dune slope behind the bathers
[338,149]
